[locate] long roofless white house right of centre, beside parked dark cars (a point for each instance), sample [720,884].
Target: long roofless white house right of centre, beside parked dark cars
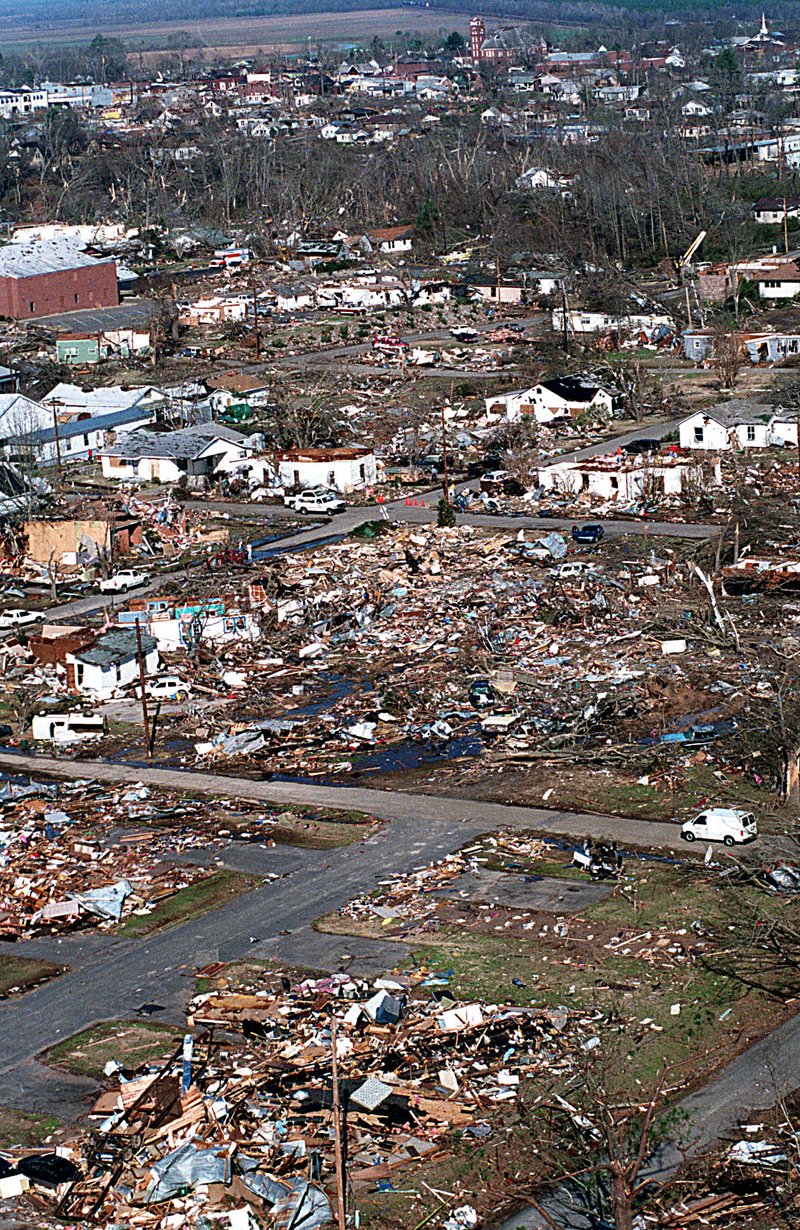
[628,479]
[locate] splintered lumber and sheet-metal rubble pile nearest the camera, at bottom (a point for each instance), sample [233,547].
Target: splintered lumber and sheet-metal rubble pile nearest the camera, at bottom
[236,1129]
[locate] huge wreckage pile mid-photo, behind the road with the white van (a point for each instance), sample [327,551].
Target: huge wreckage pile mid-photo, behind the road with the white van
[396,633]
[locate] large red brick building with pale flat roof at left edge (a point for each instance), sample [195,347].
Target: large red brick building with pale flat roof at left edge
[42,280]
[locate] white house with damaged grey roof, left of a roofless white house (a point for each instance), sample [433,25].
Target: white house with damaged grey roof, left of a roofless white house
[198,452]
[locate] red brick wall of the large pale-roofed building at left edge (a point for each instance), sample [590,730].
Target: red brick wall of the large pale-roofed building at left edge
[94,286]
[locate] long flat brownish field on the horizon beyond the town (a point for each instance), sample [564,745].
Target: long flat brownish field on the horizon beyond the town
[244,36]
